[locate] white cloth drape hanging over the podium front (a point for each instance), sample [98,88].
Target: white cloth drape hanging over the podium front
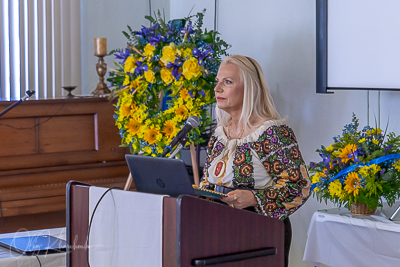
[126,228]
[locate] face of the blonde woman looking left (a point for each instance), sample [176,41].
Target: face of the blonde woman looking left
[229,90]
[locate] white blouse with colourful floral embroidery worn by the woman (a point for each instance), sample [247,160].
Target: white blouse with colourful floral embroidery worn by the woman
[267,161]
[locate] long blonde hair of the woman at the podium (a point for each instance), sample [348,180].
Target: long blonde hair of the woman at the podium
[257,102]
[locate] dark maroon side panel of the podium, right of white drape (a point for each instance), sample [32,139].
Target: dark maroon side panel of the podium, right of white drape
[212,230]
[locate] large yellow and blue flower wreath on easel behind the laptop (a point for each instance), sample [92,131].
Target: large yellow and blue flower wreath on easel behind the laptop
[165,75]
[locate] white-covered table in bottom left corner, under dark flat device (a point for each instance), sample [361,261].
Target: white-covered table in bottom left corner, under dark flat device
[13,259]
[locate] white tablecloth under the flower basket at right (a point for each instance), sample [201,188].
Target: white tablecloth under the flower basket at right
[338,239]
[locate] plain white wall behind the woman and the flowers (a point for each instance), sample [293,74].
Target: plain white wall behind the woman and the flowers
[280,35]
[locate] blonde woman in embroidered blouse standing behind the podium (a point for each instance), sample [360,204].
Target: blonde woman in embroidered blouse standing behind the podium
[253,156]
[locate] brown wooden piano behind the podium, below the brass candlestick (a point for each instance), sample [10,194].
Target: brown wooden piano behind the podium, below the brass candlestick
[46,143]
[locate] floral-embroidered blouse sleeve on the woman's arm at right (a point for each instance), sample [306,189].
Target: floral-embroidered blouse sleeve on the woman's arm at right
[278,151]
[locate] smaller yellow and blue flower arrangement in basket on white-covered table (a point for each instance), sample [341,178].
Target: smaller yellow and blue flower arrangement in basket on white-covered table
[359,167]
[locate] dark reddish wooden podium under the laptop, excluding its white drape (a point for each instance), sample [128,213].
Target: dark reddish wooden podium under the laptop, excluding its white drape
[196,232]
